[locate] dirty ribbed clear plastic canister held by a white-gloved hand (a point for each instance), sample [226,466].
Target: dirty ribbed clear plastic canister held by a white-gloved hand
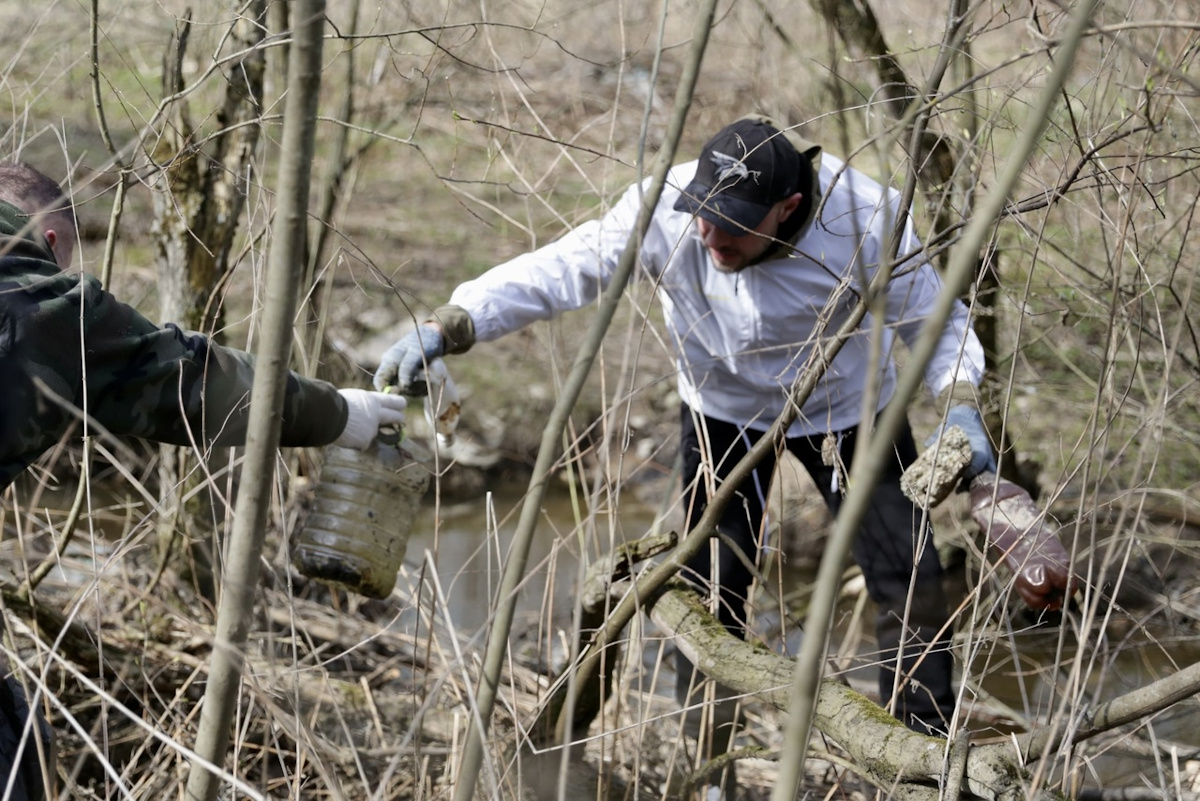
[363,510]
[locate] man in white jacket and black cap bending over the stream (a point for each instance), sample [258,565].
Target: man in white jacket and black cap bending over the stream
[757,250]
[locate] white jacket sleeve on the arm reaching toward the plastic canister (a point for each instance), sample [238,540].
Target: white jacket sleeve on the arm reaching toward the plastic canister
[562,276]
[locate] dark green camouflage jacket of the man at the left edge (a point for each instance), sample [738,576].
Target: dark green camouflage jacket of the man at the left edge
[65,344]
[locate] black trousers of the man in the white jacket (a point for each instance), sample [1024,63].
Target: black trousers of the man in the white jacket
[889,550]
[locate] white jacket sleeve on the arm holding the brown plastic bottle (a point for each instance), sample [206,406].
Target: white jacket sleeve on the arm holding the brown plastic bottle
[913,297]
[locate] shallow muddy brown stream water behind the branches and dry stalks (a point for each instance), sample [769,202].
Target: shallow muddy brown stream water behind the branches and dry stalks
[1015,664]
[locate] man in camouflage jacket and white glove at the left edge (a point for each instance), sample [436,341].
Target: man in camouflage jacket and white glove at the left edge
[69,350]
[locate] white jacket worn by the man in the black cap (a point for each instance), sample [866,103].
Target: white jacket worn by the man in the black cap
[741,339]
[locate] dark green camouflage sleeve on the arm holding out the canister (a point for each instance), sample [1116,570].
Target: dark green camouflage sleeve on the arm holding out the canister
[163,383]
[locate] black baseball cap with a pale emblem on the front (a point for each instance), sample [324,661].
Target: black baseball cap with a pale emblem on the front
[745,170]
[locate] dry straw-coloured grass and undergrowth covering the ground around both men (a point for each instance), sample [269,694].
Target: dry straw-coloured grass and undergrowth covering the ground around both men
[481,141]
